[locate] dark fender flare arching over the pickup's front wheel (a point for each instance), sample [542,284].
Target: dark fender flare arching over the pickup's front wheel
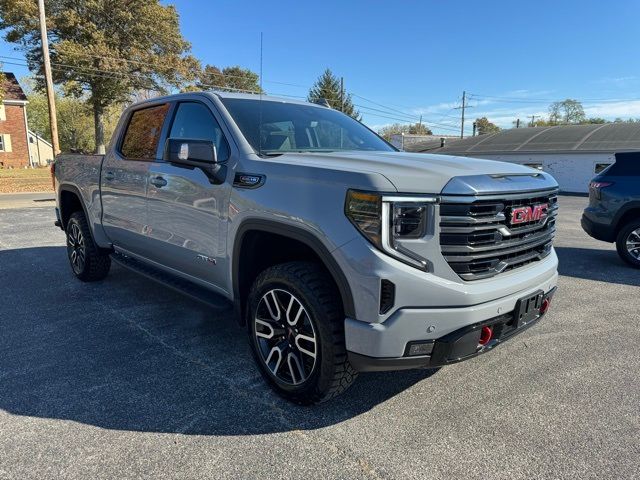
[302,236]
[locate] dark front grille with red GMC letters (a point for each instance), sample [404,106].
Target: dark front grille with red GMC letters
[482,238]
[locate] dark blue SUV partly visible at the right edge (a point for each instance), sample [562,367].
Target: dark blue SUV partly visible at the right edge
[613,214]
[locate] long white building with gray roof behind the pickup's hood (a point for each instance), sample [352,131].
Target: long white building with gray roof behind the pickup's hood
[572,154]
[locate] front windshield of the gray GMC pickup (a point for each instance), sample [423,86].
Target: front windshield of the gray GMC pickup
[278,127]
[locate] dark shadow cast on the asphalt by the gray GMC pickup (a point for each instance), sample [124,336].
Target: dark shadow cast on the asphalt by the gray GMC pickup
[128,354]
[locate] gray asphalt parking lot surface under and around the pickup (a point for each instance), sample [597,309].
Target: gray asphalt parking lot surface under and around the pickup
[124,379]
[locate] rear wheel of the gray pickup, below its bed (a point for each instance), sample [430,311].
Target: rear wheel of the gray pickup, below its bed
[87,261]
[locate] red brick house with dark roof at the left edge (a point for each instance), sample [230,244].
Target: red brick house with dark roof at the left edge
[14,143]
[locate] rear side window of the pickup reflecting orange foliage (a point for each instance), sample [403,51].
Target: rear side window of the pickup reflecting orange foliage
[143,132]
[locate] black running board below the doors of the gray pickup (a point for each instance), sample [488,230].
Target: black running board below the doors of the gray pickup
[190,289]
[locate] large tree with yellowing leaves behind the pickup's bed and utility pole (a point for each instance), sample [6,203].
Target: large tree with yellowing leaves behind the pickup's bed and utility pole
[103,50]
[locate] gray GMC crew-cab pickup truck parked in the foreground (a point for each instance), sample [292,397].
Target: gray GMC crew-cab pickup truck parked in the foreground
[338,253]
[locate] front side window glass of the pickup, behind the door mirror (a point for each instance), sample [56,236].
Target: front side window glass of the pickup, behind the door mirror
[194,121]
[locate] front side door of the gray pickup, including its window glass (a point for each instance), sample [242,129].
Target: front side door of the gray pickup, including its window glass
[187,214]
